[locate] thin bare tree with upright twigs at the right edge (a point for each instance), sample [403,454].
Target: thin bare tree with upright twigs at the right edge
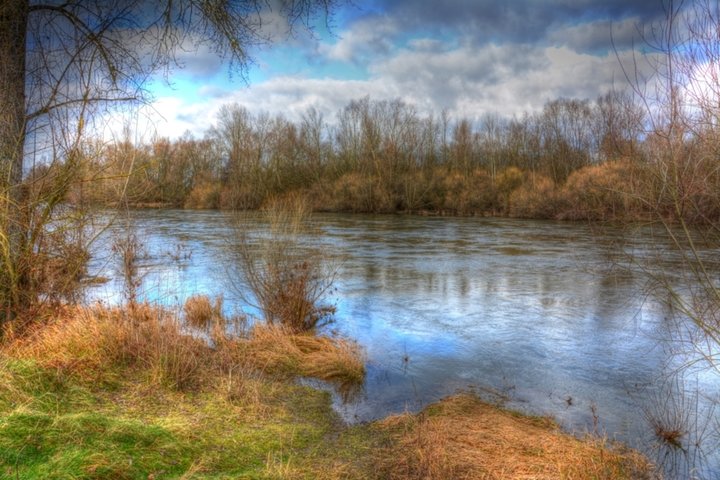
[682,110]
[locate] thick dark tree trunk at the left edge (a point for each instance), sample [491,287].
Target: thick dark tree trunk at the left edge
[13,28]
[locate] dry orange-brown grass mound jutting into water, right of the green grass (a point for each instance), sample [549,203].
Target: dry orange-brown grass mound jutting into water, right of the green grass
[464,438]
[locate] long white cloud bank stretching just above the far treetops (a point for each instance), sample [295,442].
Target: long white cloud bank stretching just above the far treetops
[467,81]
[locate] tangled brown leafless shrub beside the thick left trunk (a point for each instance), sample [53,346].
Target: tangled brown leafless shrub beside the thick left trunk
[43,244]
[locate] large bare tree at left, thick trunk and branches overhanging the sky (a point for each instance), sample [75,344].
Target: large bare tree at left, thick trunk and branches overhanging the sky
[64,60]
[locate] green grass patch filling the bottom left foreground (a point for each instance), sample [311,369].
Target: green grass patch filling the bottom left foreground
[60,427]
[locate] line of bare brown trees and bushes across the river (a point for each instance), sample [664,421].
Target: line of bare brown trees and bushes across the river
[574,159]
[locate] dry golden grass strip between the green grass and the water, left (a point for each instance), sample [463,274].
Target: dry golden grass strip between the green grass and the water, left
[91,342]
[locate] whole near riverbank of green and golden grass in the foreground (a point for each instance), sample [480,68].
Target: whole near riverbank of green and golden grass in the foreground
[106,393]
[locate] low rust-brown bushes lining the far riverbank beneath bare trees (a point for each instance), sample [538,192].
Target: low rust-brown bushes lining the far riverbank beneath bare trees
[597,193]
